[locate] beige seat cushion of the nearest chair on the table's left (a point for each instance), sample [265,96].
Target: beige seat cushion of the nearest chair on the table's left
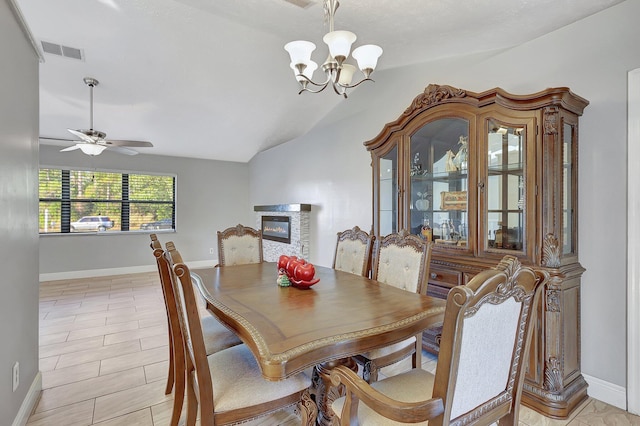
[238,382]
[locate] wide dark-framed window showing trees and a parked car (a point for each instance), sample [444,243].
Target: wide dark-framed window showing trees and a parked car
[104,201]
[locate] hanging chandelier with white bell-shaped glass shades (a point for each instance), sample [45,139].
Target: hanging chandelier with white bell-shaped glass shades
[338,73]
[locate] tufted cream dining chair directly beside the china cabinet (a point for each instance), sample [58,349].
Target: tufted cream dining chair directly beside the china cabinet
[401,260]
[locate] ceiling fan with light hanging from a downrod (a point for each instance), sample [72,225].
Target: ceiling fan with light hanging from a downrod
[93,142]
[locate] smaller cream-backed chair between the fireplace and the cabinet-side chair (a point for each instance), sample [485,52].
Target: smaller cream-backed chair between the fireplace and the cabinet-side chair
[353,251]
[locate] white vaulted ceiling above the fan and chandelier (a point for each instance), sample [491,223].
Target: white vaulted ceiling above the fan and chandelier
[210,78]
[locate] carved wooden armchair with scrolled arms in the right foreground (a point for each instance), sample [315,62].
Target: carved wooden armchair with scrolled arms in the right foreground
[479,376]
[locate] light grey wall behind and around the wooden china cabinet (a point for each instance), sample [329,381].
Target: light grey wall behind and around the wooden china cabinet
[330,168]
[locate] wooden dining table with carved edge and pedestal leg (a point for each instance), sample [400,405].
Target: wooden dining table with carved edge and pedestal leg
[292,329]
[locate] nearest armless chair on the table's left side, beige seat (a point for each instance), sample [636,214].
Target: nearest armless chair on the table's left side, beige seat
[228,386]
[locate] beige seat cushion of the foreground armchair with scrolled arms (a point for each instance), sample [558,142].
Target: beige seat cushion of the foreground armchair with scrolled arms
[412,386]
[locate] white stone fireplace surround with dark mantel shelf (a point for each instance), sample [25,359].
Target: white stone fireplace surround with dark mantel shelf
[300,218]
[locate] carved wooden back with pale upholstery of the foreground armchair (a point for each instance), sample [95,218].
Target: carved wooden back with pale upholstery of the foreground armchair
[485,339]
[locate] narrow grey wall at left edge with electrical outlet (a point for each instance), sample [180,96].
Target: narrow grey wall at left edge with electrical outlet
[18,212]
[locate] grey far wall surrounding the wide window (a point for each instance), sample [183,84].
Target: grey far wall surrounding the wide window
[211,196]
